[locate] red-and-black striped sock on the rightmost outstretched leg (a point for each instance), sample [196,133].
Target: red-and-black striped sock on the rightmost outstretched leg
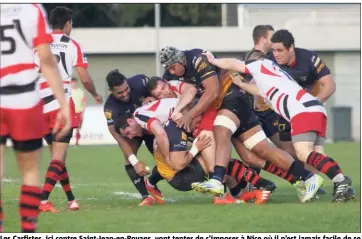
[326,165]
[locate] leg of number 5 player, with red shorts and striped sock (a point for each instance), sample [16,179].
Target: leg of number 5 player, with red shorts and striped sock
[27,143]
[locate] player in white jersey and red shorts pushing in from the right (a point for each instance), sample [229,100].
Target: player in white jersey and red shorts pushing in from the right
[306,114]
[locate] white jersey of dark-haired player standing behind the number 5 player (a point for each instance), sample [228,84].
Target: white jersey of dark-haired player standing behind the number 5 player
[68,54]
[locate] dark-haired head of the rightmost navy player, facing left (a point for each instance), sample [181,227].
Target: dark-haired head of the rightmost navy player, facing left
[283,46]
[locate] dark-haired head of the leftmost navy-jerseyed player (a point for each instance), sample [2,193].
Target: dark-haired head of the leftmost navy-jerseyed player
[118,86]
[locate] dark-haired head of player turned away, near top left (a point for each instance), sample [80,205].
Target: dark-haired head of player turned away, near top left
[60,18]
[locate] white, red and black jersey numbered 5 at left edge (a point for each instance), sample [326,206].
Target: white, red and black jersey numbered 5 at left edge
[23,27]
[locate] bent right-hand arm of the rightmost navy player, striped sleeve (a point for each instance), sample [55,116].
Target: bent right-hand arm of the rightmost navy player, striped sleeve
[325,79]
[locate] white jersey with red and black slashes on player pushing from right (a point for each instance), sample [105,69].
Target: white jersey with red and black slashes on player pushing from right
[281,92]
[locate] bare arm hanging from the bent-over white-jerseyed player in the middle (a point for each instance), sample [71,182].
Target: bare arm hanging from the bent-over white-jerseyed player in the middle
[161,138]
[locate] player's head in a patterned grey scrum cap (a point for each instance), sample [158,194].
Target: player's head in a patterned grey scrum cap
[173,60]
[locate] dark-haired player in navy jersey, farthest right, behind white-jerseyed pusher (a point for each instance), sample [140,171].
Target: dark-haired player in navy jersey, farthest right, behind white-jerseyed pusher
[307,68]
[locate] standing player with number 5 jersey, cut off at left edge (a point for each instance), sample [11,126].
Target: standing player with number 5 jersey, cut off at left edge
[24,28]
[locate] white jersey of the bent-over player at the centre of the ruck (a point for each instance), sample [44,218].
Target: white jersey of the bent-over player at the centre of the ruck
[160,110]
